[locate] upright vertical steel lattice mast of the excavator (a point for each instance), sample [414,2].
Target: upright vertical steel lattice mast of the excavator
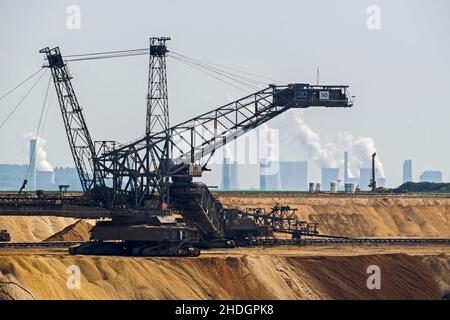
[157,102]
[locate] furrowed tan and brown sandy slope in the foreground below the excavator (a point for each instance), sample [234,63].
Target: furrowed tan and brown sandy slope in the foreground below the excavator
[227,276]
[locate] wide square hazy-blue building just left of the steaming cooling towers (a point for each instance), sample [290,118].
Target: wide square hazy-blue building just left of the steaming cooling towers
[294,175]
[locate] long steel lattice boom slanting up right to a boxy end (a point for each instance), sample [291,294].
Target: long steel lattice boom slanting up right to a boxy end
[133,173]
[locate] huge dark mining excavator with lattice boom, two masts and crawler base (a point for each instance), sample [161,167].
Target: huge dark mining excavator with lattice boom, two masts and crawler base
[143,183]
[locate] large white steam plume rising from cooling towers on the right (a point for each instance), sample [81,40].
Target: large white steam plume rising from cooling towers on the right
[329,153]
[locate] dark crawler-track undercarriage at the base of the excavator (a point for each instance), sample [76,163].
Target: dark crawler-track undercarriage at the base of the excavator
[144,233]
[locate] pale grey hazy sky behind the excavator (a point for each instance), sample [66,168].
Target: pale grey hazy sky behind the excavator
[400,74]
